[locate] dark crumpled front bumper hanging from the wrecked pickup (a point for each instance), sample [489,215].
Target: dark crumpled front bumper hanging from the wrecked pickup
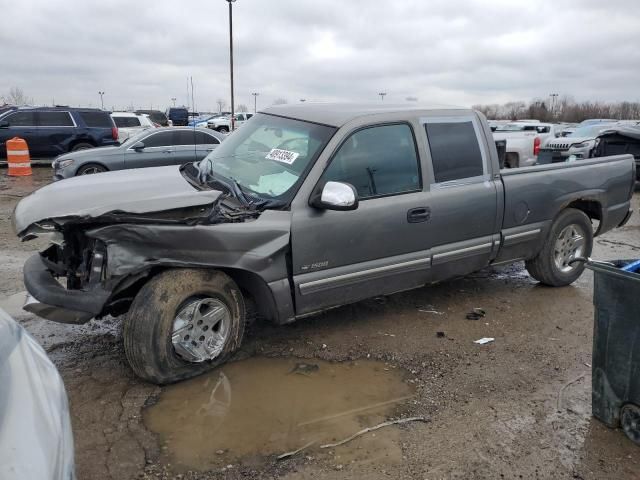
[49,299]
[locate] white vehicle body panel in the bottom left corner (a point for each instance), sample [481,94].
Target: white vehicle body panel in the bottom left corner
[36,441]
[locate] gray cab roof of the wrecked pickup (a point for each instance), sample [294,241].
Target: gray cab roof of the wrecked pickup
[338,114]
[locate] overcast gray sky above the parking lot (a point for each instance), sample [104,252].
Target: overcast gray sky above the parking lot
[453,52]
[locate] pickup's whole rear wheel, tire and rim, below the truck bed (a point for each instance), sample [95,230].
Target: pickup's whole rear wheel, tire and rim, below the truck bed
[570,238]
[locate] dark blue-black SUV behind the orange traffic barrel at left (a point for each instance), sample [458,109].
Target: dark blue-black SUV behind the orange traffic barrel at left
[51,131]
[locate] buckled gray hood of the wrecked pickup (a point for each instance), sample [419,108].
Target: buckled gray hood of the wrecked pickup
[142,190]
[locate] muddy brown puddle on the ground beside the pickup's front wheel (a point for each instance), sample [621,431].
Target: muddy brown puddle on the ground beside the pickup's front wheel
[253,410]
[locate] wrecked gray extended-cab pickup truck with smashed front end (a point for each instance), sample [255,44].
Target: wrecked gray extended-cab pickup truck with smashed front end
[305,208]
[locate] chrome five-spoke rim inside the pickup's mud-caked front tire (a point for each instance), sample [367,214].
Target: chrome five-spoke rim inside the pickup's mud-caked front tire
[201,329]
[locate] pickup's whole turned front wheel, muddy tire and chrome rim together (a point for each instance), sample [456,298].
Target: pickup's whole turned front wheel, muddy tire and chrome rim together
[182,323]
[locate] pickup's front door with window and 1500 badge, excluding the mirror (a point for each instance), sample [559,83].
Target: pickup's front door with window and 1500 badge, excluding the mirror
[381,247]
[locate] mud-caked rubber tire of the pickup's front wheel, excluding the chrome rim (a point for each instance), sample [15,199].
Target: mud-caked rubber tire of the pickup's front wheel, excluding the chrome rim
[149,324]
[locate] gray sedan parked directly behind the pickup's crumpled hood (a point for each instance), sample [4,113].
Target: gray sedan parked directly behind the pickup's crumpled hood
[149,148]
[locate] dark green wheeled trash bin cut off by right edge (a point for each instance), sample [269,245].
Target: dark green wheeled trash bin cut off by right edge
[616,347]
